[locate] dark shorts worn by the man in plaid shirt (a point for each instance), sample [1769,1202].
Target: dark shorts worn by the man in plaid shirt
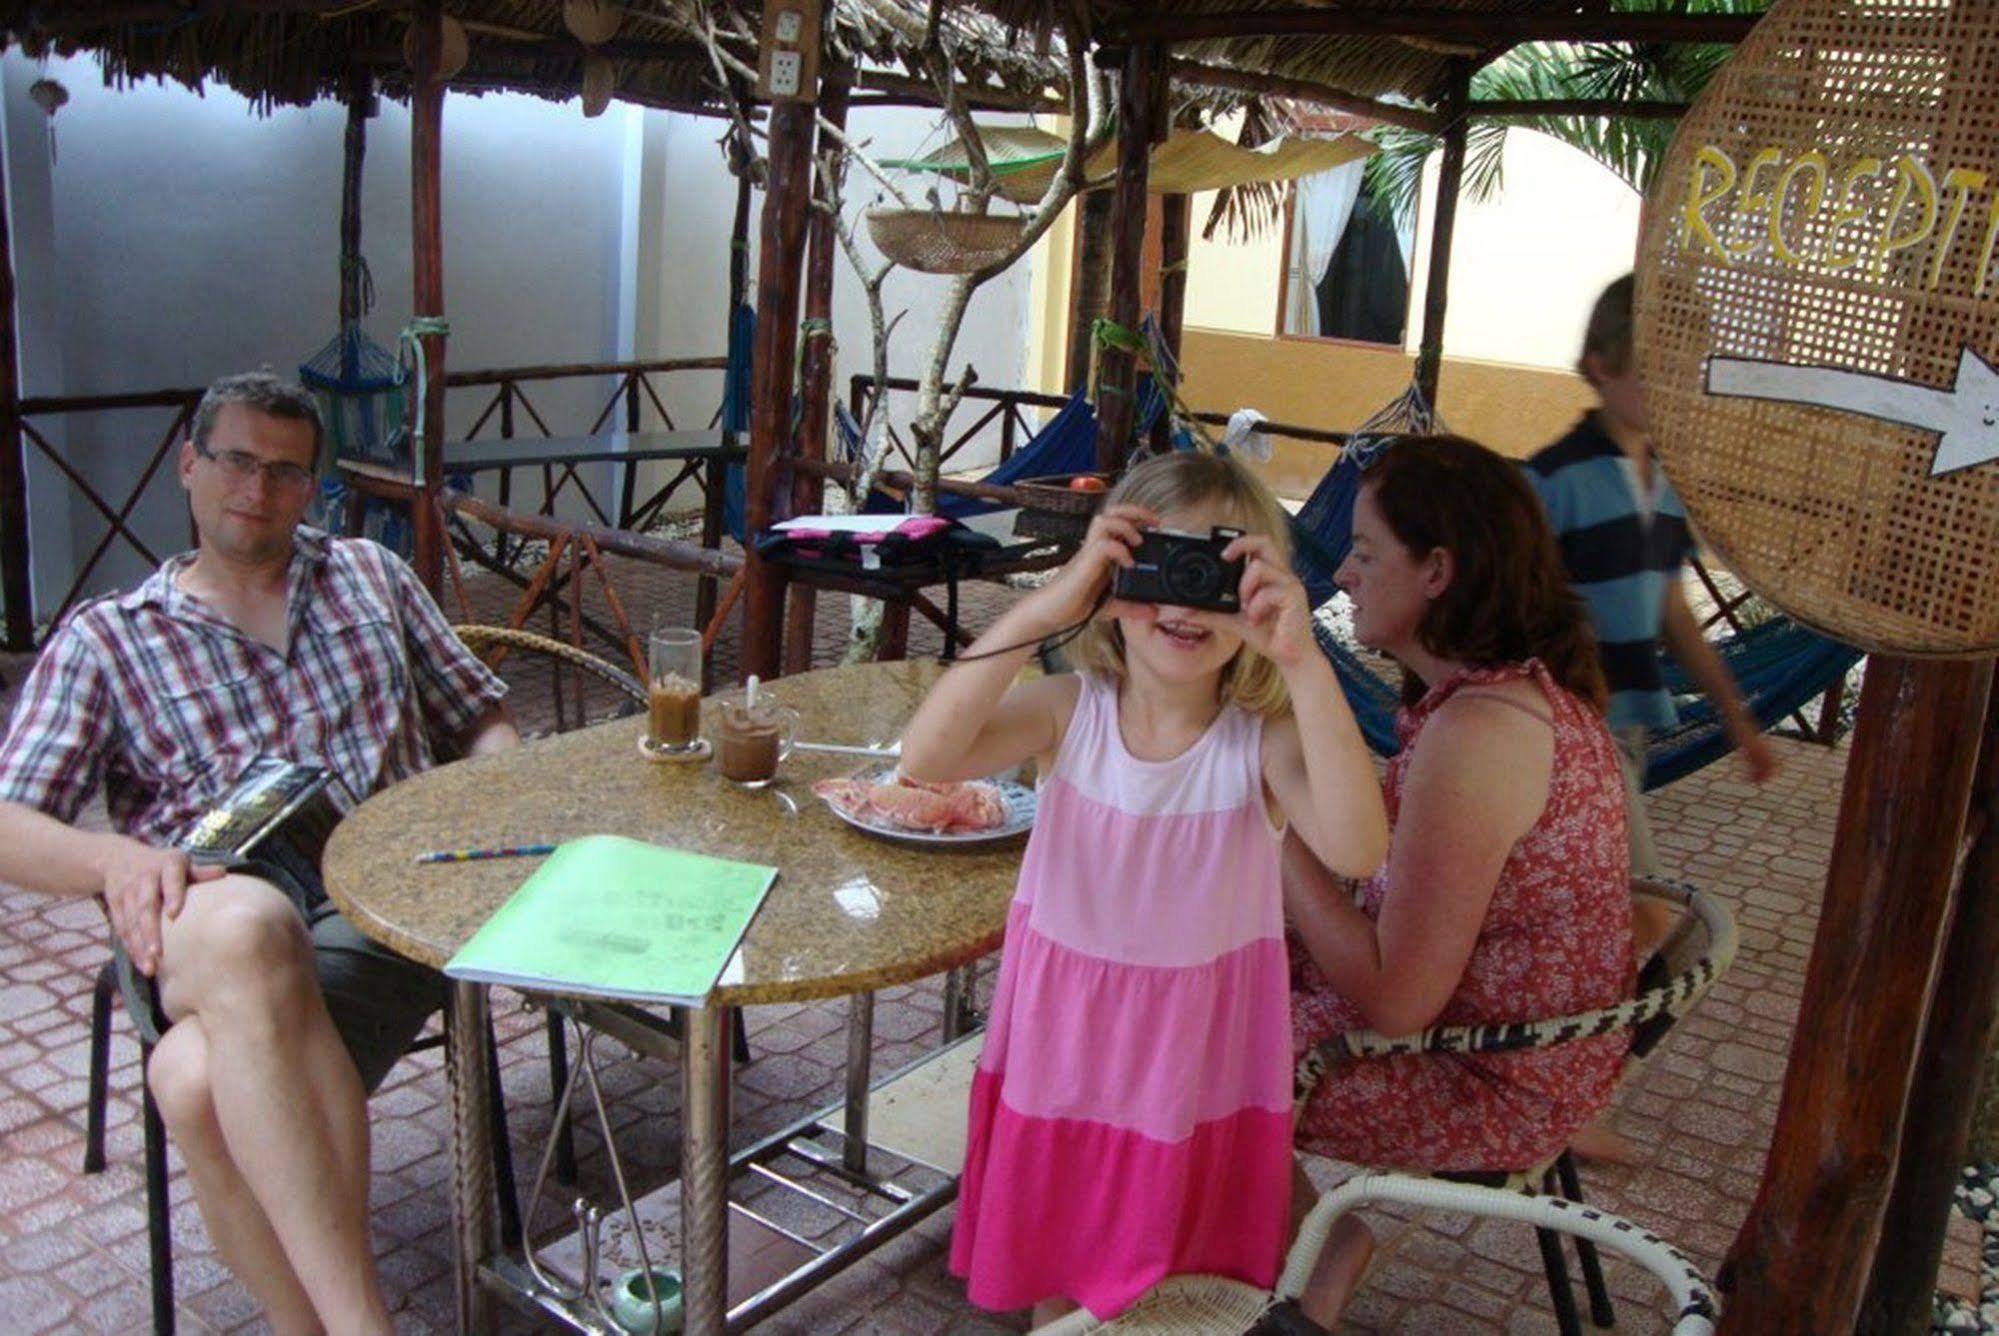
[379,1001]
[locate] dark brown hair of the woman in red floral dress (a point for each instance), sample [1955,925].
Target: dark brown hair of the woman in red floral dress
[1508,599]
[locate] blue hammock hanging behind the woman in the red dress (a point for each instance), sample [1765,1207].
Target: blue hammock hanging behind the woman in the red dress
[1778,665]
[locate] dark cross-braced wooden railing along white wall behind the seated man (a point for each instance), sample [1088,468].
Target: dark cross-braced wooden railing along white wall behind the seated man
[635,389]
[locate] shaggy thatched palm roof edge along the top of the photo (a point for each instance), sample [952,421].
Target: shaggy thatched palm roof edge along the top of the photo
[1006,51]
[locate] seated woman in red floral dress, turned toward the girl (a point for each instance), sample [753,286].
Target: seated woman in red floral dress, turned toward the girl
[1506,891]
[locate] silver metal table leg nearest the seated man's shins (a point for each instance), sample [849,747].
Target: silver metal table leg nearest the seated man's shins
[469,1041]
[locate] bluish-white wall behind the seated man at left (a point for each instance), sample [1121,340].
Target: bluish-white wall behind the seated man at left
[189,237]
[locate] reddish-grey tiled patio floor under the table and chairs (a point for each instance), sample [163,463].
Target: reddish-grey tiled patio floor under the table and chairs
[73,1249]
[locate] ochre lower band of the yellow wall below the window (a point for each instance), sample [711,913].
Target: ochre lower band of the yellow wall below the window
[1338,387]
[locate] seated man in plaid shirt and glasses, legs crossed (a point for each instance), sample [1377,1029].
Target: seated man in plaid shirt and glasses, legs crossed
[269,639]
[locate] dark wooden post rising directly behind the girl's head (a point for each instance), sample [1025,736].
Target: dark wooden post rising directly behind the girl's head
[1140,93]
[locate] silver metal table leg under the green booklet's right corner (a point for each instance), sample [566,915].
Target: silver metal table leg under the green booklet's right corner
[705,1169]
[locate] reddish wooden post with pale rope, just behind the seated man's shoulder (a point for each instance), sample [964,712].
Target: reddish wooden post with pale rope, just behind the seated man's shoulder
[427,253]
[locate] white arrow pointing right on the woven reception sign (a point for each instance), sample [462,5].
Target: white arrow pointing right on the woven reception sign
[1966,417]
